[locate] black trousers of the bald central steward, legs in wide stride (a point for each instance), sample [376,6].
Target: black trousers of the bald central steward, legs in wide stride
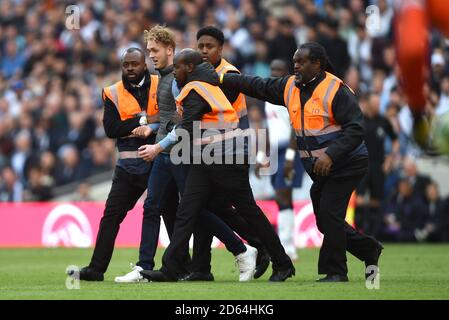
[203,182]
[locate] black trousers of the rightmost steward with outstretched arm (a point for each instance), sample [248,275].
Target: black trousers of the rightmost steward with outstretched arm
[330,198]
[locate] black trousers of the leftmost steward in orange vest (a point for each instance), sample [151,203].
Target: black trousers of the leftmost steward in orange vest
[126,189]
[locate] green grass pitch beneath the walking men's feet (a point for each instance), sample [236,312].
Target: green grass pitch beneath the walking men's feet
[407,272]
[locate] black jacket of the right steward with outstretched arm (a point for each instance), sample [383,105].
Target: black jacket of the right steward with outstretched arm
[345,109]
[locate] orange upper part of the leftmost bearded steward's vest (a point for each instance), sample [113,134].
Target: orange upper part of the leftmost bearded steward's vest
[127,105]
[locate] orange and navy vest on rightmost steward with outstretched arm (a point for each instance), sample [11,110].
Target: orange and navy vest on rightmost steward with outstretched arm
[318,127]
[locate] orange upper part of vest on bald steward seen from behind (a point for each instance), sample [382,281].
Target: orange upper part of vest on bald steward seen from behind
[222,116]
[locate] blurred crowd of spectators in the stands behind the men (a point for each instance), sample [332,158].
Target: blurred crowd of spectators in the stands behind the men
[51,78]
